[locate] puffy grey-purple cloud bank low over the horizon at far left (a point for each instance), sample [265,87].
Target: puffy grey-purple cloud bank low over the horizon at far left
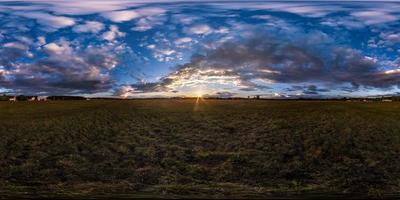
[65,70]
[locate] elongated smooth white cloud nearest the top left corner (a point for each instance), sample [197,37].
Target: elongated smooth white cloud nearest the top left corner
[51,21]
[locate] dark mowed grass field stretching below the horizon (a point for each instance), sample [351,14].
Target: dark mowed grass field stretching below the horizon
[212,148]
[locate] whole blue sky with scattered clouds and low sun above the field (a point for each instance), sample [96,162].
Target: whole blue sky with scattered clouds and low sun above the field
[135,49]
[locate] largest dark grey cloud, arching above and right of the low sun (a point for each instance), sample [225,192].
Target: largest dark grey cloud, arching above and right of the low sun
[272,60]
